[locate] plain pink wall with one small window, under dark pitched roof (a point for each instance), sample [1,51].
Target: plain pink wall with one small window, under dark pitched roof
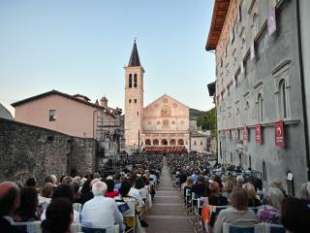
[72,118]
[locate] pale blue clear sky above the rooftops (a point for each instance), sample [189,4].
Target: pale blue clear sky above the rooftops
[79,46]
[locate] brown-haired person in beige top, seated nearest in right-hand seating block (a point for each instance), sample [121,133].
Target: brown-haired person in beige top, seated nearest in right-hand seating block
[237,214]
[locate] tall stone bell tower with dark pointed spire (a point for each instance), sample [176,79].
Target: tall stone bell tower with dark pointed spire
[134,100]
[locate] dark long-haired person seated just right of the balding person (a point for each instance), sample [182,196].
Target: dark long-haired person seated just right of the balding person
[27,210]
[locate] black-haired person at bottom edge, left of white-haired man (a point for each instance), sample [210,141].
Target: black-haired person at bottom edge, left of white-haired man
[59,216]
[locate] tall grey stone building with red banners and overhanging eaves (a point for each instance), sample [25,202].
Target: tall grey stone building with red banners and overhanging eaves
[261,122]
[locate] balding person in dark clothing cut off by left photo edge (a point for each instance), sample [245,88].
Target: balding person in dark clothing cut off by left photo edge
[9,202]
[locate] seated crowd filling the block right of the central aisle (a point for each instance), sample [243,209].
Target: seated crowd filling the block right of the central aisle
[240,196]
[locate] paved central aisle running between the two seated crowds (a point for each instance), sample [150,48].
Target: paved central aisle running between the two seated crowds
[167,214]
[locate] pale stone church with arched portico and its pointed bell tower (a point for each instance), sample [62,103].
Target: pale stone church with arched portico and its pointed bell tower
[162,126]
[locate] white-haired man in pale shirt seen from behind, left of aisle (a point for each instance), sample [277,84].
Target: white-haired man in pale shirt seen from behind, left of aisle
[100,212]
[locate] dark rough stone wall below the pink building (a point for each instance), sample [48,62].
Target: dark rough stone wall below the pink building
[32,151]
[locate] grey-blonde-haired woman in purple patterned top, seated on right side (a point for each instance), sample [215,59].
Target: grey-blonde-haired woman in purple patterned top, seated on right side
[271,211]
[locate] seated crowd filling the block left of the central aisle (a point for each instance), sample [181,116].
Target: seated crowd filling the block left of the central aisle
[91,201]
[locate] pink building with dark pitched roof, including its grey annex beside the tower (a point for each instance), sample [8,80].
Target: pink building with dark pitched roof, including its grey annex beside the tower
[74,115]
